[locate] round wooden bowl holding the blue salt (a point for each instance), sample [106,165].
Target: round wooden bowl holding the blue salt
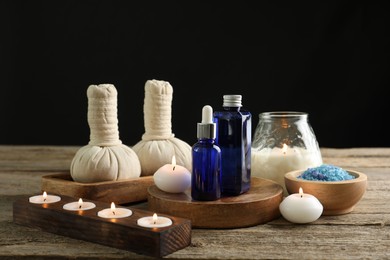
[337,197]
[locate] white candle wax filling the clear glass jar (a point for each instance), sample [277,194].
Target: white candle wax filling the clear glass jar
[274,163]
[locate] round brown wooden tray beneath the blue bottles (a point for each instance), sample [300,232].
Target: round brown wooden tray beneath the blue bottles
[257,206]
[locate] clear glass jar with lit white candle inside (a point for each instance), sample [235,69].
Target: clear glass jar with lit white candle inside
[283,142]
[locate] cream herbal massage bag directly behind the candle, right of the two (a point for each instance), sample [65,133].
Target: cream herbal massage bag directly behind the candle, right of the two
[159,144]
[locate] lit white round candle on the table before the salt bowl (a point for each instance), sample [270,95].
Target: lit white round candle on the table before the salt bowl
[301,208]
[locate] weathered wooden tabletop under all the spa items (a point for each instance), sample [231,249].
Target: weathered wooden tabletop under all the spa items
[364,233]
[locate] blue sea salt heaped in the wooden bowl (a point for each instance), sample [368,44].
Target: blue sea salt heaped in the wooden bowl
[326,172]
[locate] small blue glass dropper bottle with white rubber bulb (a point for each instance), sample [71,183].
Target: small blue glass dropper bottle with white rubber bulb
[206,160]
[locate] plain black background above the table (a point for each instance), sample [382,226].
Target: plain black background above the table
[330,60]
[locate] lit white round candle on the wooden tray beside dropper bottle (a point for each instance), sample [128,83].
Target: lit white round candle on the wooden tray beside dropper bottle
[172,178]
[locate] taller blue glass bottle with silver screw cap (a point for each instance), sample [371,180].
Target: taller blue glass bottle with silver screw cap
[234,137]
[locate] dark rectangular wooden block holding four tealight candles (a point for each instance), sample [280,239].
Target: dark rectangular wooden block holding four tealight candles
[122,233]
